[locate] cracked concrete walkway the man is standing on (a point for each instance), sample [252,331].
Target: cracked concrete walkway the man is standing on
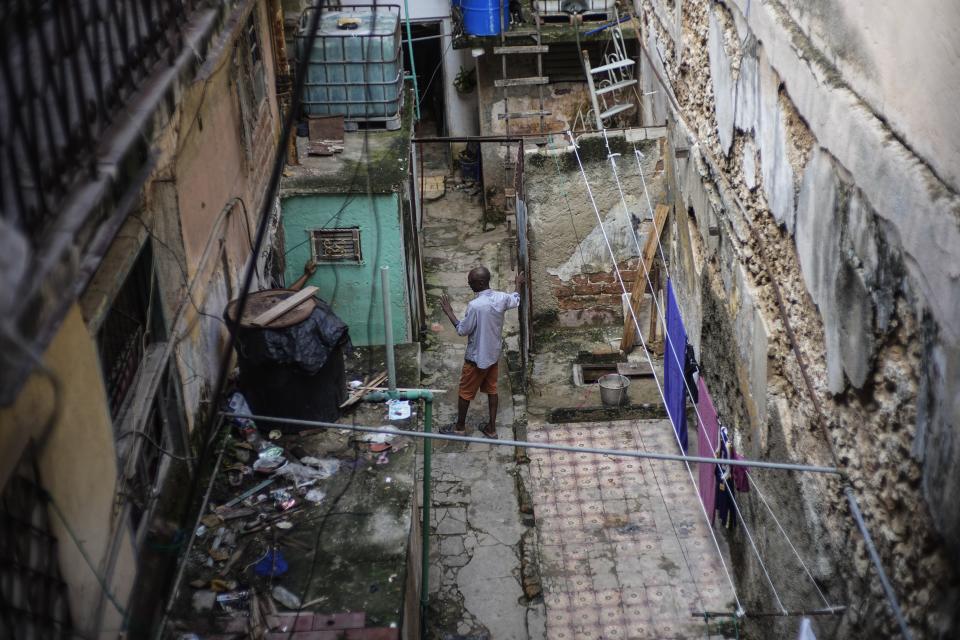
[475,581]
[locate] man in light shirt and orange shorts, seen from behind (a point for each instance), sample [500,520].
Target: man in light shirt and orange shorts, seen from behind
[483,326]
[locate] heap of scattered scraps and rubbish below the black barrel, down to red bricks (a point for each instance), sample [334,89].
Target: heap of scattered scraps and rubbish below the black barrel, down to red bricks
[266,491]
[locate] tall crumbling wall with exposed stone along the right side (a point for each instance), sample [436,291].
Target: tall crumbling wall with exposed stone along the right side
[816,200]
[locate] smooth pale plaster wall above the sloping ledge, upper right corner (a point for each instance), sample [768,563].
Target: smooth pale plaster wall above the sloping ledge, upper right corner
[903,59]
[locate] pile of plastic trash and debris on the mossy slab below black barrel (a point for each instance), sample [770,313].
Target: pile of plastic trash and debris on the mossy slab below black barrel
[241,538]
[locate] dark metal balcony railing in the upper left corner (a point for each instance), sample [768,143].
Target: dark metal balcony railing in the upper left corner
[66,71]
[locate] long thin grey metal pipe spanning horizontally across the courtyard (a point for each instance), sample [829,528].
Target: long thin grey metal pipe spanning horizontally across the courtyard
[783,466]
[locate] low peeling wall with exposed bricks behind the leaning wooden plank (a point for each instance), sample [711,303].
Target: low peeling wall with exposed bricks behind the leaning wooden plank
[571,271]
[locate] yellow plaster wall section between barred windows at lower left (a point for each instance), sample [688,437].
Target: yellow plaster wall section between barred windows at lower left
[77,465]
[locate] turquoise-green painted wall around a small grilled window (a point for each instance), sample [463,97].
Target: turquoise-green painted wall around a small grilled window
[353,289]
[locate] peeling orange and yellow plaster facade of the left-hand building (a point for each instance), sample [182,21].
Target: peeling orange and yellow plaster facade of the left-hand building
[204,165]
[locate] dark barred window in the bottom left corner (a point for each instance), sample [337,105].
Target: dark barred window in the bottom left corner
[33,594]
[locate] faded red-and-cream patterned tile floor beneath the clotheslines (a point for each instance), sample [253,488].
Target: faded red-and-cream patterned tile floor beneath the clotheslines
[615,563]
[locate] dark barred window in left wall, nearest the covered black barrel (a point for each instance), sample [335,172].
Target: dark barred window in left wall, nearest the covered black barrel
[133,322]
